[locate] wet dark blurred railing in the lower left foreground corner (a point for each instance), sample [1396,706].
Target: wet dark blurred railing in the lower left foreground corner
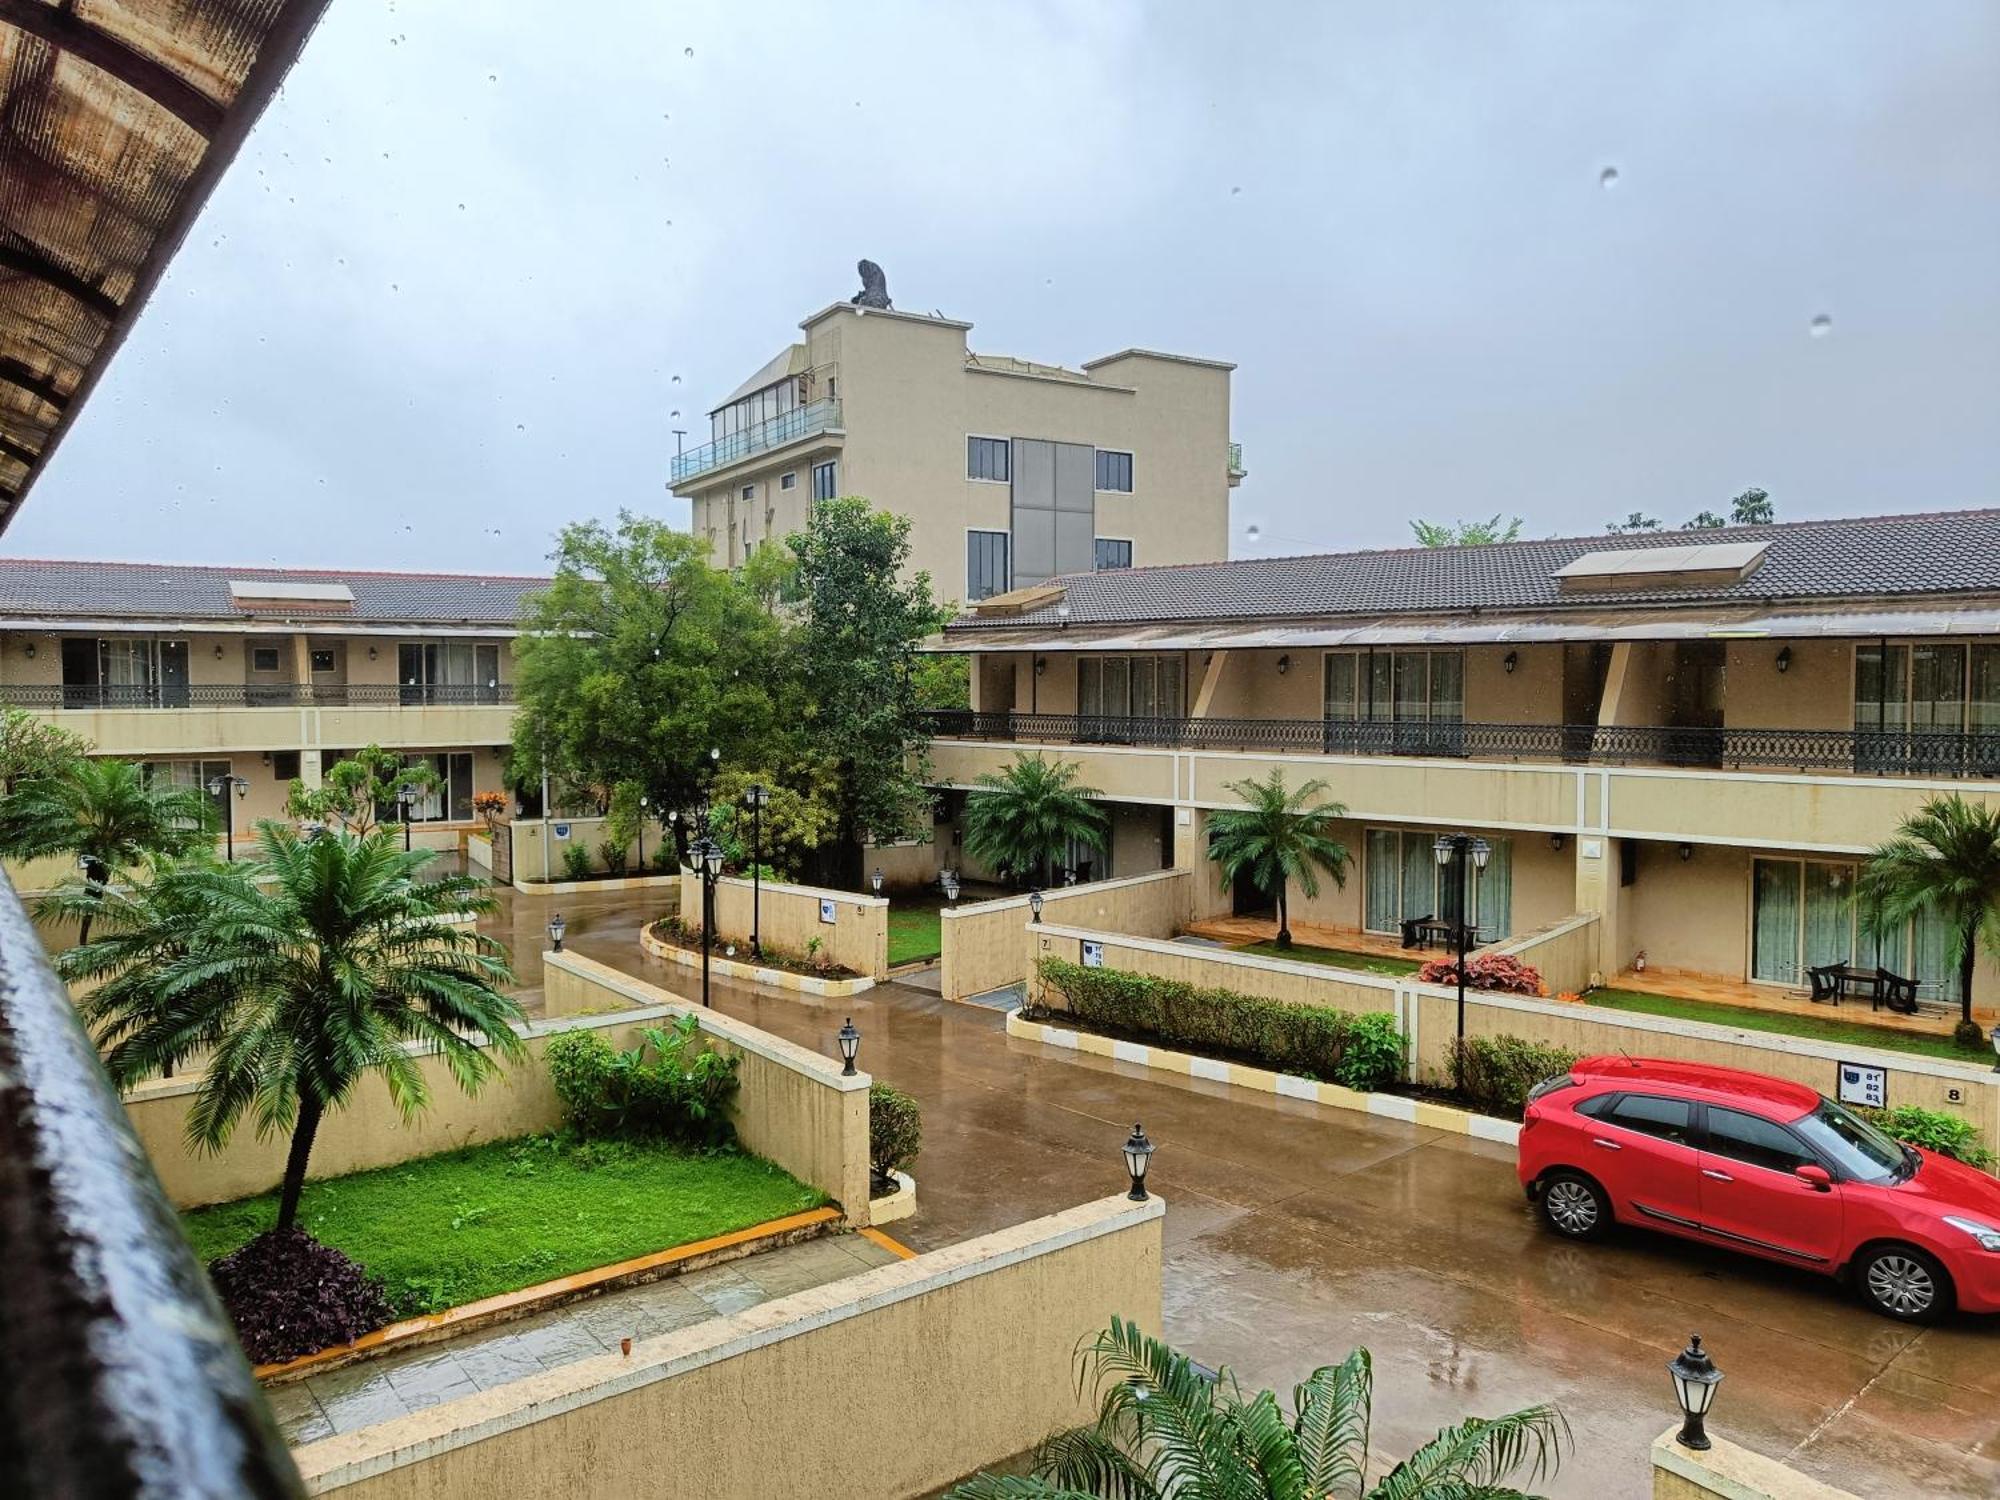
[123,1375]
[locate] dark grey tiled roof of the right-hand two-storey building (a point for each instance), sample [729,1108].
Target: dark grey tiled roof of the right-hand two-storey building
[1939,553]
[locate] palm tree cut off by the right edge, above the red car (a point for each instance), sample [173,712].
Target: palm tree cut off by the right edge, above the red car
[1943,861]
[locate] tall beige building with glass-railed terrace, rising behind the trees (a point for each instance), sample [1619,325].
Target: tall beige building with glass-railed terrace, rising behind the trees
[1009,471]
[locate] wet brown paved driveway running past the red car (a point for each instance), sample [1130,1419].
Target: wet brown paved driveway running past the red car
[1297,1233]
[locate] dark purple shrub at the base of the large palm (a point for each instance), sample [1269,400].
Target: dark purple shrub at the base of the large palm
[289,1295]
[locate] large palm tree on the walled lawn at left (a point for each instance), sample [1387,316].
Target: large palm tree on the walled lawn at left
[299,971]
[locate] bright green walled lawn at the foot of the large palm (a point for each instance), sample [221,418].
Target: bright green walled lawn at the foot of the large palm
[493,1219]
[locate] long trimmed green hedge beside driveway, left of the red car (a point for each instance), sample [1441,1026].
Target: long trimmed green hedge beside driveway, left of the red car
[1309,1041]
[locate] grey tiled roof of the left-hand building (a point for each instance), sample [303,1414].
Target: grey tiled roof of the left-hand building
[165,591]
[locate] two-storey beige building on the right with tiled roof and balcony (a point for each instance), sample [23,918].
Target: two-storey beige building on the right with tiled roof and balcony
[1695,737]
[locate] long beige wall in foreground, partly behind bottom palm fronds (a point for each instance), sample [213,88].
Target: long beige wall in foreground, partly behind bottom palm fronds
[815,1395]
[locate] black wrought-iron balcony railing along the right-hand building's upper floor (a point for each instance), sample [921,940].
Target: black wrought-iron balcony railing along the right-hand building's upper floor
[1873,753]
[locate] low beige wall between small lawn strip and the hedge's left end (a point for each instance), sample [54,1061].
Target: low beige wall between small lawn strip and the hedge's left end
[983,947]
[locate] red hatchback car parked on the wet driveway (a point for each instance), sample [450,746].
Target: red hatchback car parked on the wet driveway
[1765,1167]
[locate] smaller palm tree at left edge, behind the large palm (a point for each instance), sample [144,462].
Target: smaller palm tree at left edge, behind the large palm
[111,817]
